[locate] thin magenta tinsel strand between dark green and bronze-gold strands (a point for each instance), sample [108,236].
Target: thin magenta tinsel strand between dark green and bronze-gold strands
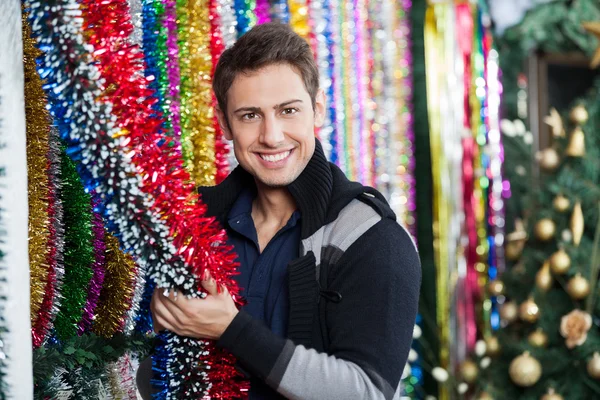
[98,268]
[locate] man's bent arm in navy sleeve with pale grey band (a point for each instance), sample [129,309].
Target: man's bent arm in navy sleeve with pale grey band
[370,329]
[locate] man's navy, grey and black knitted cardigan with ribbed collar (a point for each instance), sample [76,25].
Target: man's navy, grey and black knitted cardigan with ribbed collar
[353,292]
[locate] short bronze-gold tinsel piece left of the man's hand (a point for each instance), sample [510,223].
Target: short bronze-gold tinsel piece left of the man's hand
[117,291]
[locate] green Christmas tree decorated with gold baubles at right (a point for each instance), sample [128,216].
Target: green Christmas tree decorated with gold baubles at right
[550,339]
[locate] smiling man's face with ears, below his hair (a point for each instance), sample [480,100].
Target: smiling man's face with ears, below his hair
[272,123]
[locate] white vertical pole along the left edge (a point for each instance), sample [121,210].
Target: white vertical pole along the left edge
[13,201]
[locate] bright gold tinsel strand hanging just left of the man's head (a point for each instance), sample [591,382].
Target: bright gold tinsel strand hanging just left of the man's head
[195,62]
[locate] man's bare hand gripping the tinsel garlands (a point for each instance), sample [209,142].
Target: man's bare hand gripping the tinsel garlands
[198,318]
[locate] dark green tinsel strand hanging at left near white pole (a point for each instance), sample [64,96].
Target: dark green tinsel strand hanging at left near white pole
[79,250]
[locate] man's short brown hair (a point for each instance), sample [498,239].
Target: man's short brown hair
[264,45]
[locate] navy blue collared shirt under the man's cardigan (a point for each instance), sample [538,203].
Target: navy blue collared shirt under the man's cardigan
[263,277]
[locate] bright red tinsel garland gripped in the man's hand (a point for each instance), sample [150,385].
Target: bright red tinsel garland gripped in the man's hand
[199,239]
